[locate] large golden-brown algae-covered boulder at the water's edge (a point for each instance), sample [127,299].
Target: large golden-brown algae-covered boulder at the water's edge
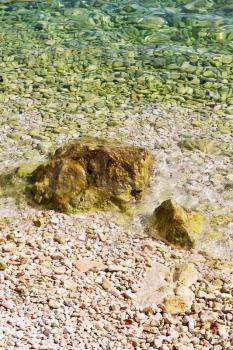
[92,175]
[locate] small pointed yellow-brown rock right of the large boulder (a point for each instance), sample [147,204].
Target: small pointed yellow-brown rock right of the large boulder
[177,225]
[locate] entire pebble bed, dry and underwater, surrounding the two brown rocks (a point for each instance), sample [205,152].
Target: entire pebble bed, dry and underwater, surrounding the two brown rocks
[96,280]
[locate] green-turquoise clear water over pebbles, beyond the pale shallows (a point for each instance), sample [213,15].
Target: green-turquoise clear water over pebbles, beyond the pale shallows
[103,52]
